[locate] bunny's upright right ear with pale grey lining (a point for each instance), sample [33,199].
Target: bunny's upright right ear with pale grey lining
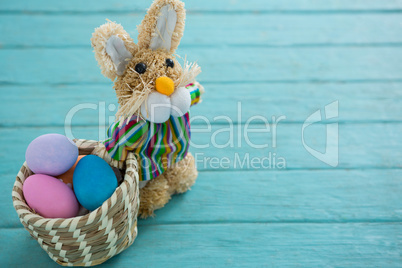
[163,26]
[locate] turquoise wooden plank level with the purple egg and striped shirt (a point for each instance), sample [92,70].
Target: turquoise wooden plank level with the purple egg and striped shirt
[360,146]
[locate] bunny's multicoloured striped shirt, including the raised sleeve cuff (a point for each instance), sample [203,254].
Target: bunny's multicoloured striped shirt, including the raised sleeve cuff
[156,146]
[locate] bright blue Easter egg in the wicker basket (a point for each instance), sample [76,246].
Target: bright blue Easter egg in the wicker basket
[94,182]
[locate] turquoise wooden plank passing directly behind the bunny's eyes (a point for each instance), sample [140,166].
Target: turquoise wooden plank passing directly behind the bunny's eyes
[229,65]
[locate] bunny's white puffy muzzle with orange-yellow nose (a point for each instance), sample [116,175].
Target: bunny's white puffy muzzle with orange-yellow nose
[166,101]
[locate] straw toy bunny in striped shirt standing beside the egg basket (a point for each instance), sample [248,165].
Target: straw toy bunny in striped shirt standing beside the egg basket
[154,94]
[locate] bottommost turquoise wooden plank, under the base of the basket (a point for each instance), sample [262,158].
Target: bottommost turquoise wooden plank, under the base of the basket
[237,245]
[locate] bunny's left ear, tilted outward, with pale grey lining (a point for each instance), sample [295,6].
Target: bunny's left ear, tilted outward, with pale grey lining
[113,49]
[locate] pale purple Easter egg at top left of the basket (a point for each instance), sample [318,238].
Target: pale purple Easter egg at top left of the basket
[51,154]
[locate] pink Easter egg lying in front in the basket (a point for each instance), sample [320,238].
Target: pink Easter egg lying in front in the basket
[49,197]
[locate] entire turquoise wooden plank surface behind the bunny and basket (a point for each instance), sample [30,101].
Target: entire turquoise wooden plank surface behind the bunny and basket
[276,58]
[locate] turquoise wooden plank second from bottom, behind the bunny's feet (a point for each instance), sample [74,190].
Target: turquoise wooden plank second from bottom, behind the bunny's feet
[318,196]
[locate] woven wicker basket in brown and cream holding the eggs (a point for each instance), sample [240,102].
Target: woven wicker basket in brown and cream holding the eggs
[90,239]
